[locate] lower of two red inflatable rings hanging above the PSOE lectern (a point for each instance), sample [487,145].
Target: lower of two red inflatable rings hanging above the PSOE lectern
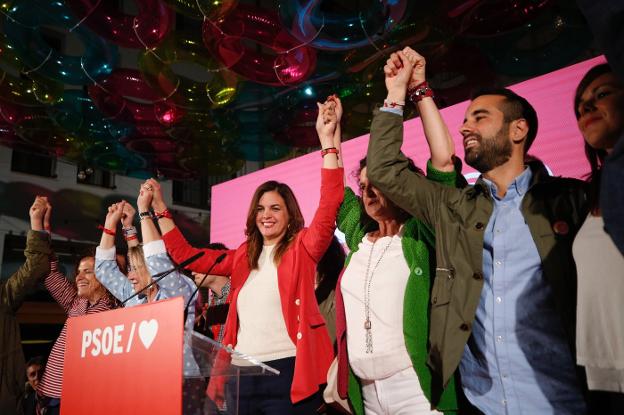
[125,96]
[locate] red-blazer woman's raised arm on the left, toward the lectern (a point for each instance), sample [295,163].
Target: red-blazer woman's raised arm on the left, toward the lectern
[178,247]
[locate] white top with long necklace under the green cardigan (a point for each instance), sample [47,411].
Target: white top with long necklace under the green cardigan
[387,292]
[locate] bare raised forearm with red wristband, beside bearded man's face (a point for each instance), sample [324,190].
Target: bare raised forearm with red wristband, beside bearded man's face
[436,131]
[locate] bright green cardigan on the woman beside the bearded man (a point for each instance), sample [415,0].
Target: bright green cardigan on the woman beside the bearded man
[419,250]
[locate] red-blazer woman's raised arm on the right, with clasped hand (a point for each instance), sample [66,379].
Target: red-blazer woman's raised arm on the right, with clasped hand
[318,237]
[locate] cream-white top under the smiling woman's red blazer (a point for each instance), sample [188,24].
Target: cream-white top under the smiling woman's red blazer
[262,330]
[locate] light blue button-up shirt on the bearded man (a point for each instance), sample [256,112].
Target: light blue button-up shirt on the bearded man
[518,360]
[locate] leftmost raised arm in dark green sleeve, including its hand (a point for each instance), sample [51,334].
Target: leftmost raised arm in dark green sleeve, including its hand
[36,266]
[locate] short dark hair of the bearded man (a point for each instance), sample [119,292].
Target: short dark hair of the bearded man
[514,107]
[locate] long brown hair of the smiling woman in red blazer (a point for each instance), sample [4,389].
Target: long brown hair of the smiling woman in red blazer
[254,237]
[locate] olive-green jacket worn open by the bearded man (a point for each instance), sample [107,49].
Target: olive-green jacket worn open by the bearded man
[554,209]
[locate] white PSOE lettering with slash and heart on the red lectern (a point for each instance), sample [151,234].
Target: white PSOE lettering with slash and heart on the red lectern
[116,340]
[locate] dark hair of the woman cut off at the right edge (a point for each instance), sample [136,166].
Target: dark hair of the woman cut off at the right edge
[595,156]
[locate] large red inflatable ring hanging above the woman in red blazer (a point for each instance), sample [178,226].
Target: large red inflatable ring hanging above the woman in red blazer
[290,63]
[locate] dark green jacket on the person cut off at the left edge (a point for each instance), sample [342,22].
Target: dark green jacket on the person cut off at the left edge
[12,293]
